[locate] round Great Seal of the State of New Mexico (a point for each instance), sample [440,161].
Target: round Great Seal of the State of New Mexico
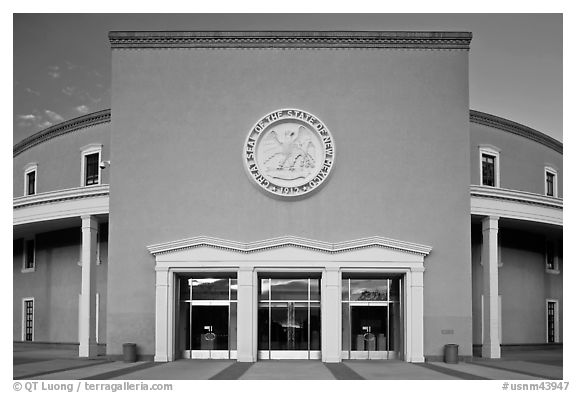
[289,152]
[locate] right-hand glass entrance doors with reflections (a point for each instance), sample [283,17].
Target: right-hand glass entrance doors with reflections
[371,318]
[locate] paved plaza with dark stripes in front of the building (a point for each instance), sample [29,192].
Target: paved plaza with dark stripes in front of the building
[51,364]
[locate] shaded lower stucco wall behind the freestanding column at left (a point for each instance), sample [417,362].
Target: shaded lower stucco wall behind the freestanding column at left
[55,286]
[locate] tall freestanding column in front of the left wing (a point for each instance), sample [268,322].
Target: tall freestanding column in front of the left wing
[87,321]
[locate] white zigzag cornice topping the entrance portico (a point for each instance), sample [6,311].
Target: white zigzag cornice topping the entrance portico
[288,241]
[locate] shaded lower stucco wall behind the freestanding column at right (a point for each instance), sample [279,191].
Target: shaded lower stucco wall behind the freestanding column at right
[523,284]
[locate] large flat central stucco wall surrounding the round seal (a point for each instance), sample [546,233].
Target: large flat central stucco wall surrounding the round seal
[399,119]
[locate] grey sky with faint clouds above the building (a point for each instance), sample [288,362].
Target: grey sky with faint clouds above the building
[61,62]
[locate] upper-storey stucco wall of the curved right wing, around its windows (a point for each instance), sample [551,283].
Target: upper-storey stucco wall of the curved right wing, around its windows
[522,160]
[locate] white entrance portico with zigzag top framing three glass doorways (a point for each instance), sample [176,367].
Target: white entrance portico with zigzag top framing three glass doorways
[289,256]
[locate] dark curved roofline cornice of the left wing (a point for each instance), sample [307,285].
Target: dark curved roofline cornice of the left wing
[72,125]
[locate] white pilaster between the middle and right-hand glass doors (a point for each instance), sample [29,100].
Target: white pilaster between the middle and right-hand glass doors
[331,315]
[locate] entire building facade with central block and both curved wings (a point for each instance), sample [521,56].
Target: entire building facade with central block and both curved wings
[264,195]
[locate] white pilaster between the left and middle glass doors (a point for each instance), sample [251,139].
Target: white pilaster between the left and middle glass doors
[247,322]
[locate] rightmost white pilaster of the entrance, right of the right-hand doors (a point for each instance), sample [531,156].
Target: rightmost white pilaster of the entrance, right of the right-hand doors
[417,317]
